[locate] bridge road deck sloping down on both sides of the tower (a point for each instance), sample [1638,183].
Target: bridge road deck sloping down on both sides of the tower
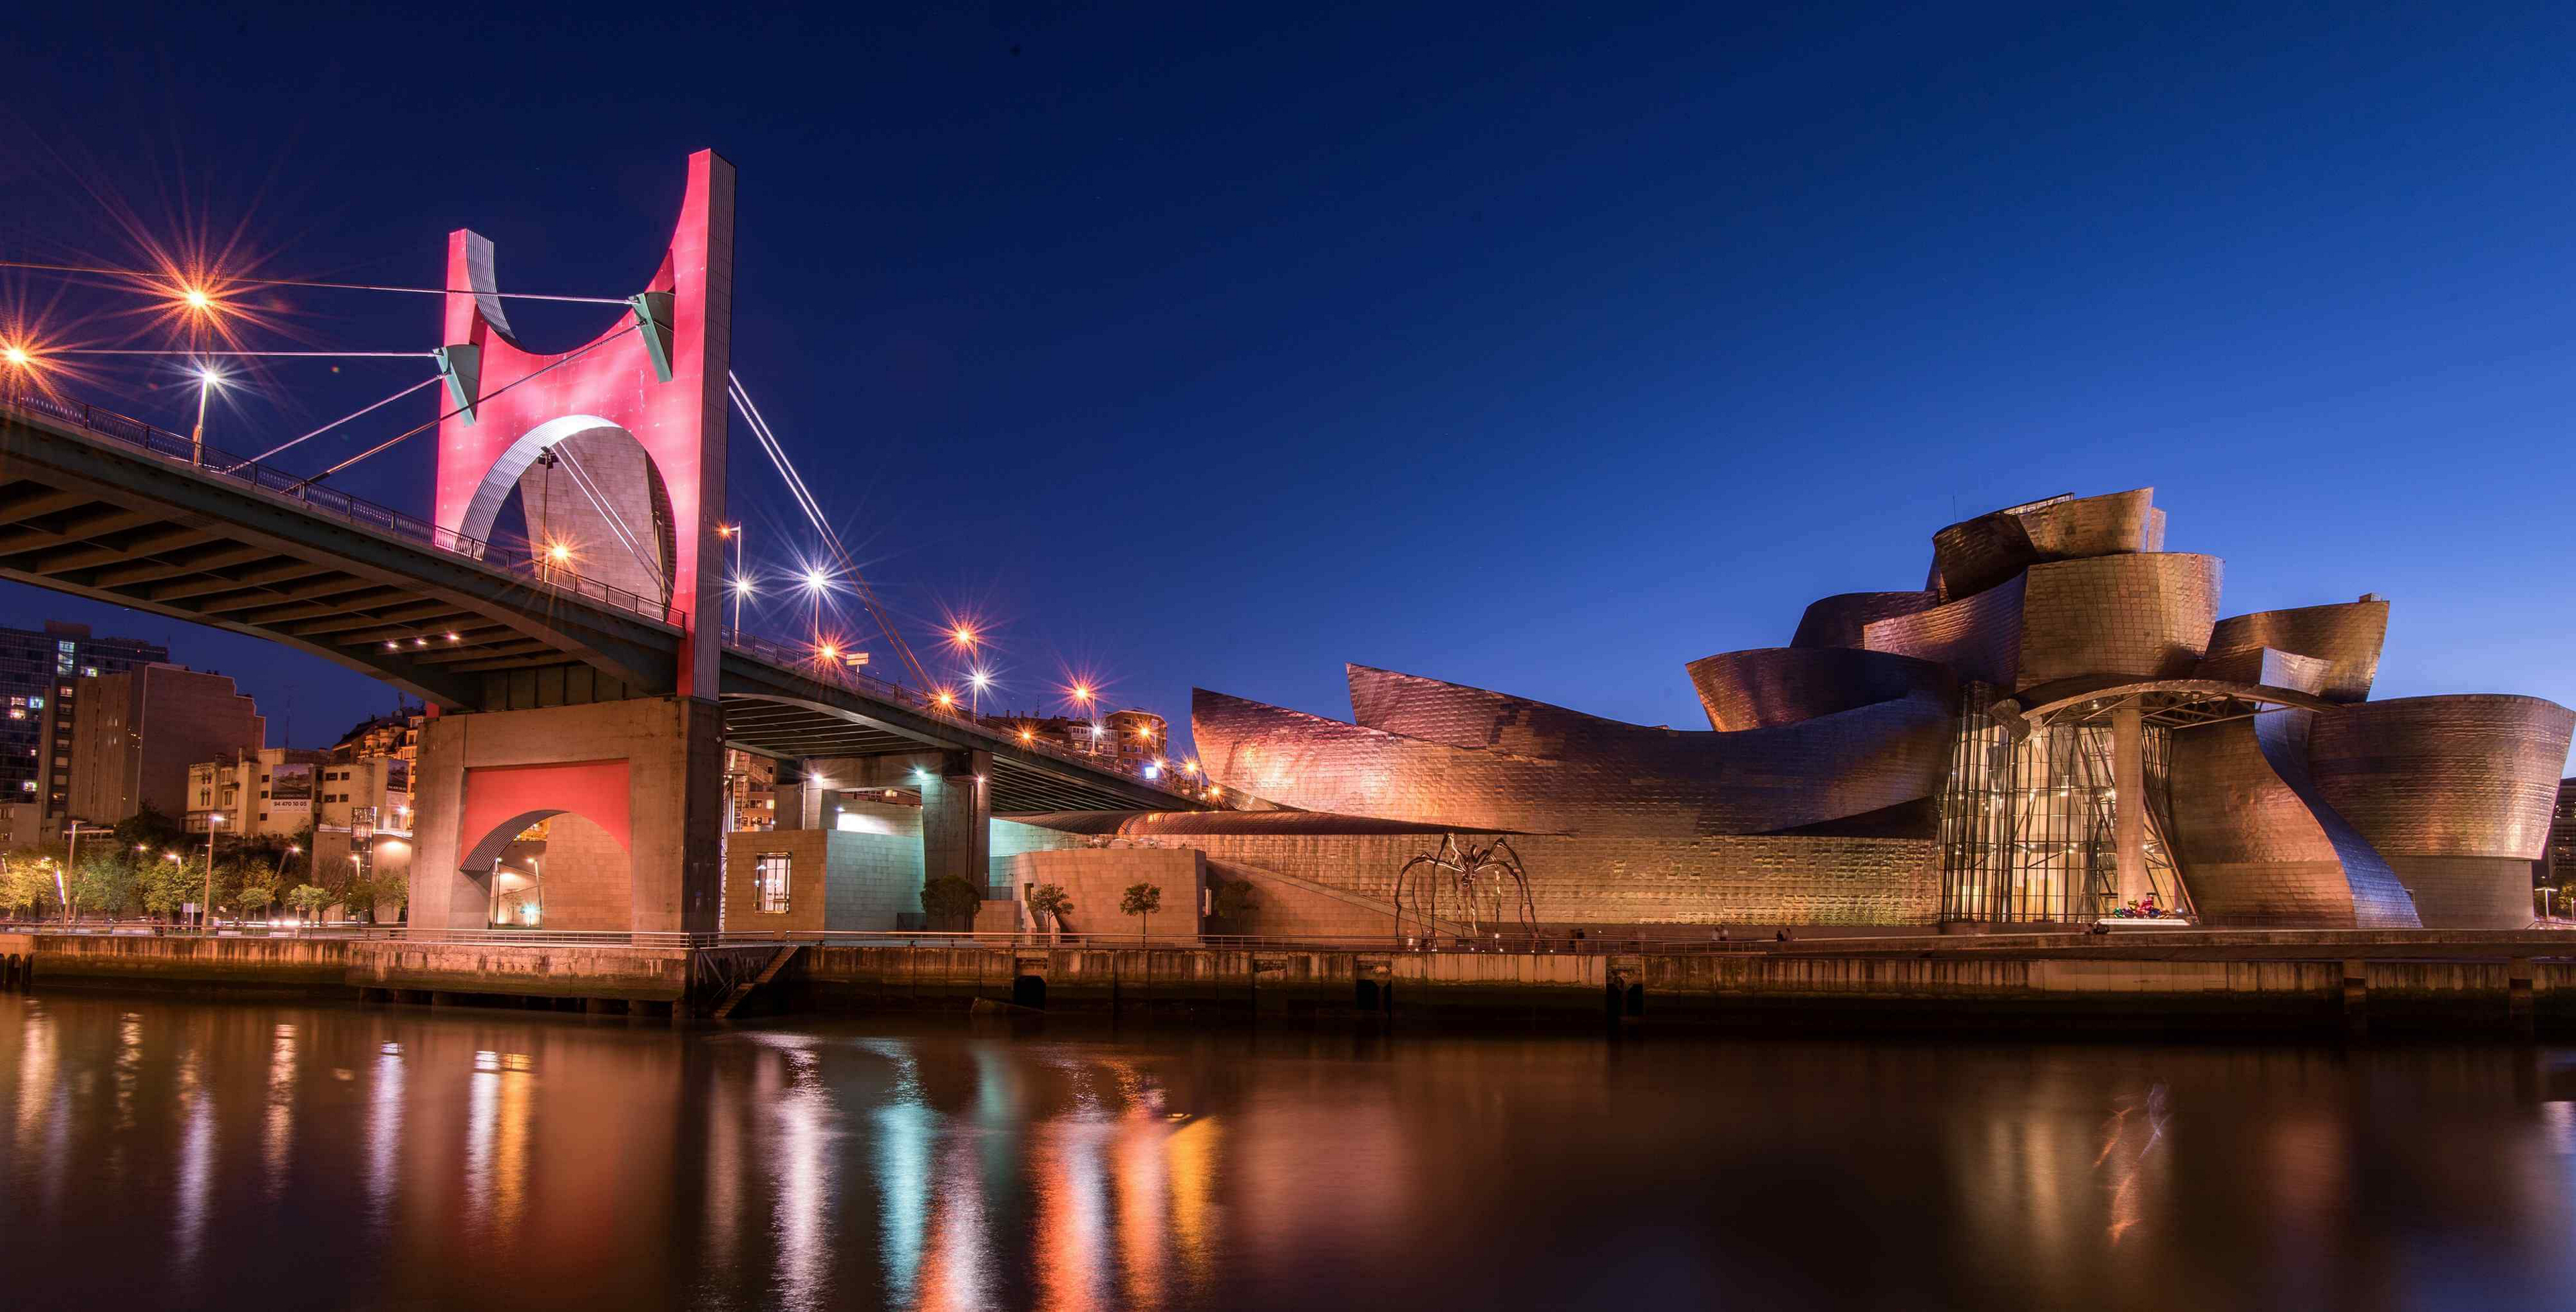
[109,509]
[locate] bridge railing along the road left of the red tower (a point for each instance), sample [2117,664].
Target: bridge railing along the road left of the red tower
[334,504]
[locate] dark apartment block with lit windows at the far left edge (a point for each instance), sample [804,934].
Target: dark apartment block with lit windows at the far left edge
[40,682]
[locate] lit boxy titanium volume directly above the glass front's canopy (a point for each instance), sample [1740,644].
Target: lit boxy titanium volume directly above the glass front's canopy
[2137,615]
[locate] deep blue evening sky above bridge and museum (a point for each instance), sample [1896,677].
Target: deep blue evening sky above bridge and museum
[1539,352]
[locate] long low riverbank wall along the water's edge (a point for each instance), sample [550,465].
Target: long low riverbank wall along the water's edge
[2214,983]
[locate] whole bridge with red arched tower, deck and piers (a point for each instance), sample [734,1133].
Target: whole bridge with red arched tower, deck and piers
[553,690]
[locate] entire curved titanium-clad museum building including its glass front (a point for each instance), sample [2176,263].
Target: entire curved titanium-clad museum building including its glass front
[2255,767]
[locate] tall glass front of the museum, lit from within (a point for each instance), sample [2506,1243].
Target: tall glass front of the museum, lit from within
[2029,821]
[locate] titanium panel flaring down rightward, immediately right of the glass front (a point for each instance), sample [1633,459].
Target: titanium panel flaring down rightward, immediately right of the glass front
[2258,847]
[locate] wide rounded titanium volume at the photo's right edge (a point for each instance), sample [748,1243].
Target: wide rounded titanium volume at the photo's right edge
[2446,775]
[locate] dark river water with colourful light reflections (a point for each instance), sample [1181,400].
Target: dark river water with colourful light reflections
[305,1156]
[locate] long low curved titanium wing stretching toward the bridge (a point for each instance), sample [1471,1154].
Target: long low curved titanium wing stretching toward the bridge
[1622,780]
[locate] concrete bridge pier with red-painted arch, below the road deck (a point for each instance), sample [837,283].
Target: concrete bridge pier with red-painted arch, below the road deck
[648,772]
